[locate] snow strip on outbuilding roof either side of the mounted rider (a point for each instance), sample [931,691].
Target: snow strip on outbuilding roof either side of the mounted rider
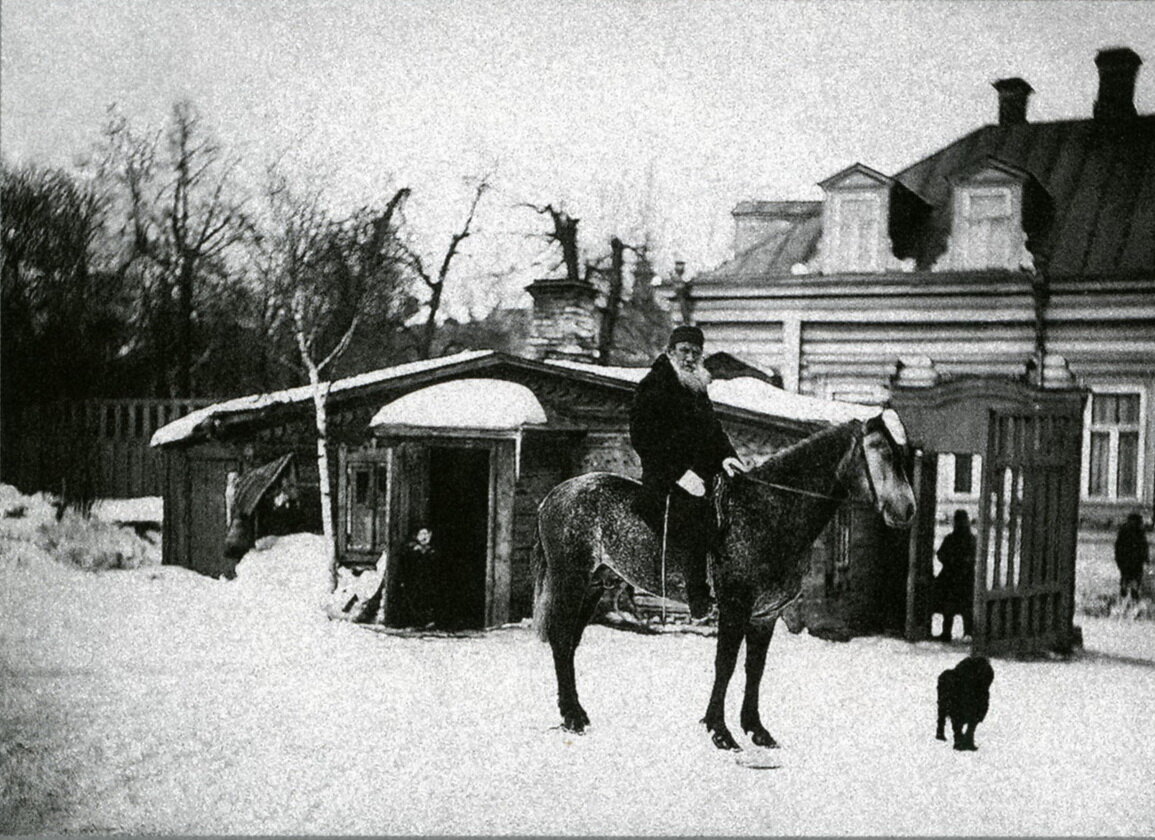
[751,395]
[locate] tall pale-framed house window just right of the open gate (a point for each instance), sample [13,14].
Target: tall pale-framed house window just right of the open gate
[1114,445]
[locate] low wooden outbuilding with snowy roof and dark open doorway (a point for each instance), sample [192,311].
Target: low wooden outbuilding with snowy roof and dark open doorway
[470,445]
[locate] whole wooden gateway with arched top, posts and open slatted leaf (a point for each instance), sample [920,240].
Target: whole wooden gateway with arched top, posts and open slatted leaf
[1029,512]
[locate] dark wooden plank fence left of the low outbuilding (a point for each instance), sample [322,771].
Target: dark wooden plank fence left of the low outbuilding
[99,449]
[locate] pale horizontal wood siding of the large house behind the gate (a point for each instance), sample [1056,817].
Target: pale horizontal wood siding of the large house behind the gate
[848,333]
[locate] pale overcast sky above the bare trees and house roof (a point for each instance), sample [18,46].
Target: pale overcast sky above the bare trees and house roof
[637,116]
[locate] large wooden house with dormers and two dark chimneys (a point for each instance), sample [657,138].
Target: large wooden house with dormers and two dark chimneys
[1023,251]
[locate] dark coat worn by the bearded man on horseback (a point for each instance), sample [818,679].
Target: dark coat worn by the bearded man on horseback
[675,429]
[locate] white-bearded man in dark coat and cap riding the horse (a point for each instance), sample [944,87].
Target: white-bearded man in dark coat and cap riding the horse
[683,449]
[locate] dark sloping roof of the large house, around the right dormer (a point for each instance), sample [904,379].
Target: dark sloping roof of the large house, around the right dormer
[1099,175]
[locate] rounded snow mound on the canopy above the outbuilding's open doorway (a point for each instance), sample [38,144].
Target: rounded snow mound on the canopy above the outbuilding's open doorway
[464,404]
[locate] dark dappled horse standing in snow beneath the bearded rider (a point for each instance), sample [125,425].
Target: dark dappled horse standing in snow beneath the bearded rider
[767,518]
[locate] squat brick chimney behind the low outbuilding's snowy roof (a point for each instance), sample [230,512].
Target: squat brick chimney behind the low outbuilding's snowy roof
[565,322]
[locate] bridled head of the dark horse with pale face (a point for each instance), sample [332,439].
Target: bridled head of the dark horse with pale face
[881,477]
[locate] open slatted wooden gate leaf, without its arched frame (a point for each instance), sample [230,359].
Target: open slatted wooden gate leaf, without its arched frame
[1029,524]
